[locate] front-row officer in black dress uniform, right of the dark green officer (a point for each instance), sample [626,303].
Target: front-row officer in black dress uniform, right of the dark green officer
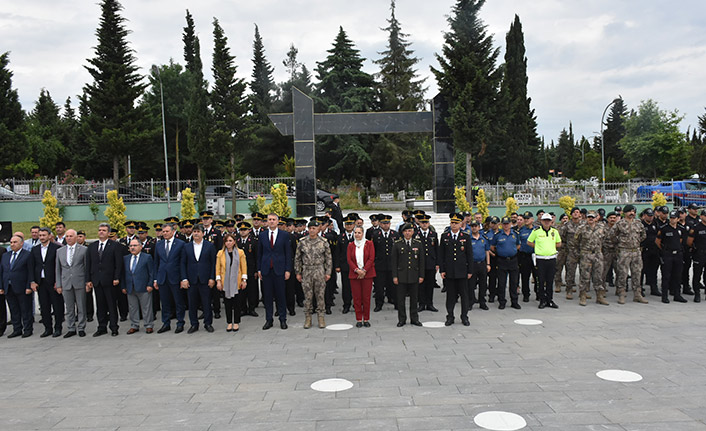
[455,268]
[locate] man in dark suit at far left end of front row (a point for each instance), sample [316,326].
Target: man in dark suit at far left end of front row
[15,273]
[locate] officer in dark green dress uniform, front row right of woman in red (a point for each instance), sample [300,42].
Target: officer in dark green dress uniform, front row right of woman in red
[407,264]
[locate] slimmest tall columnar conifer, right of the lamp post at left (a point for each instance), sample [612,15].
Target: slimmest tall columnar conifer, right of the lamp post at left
[199,117]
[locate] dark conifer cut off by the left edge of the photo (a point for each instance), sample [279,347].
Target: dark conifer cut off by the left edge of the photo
[12,139]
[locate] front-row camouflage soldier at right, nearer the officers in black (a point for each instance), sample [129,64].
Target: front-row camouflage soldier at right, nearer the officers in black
[630,234]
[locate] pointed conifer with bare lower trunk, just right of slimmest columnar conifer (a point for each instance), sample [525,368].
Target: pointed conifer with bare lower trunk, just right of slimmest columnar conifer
[232,128]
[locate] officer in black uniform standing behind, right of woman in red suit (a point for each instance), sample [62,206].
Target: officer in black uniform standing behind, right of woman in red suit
[383,240]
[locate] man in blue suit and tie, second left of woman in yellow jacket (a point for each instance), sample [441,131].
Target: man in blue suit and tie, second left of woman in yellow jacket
[169,276]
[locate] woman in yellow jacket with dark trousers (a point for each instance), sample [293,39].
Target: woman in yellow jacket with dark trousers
[231,277]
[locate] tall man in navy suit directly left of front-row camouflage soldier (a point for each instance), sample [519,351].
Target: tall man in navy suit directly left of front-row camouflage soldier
[275,266]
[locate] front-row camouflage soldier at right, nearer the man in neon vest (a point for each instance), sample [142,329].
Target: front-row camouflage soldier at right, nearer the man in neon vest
[590,241]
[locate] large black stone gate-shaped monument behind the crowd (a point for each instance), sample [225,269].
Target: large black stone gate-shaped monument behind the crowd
[304,125]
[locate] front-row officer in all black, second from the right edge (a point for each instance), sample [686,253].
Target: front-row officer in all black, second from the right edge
[669,241]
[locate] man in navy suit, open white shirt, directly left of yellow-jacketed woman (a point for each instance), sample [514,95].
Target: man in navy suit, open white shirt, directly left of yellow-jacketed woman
[200,262]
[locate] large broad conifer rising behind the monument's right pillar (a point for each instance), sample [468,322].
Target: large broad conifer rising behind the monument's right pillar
[468,79]
